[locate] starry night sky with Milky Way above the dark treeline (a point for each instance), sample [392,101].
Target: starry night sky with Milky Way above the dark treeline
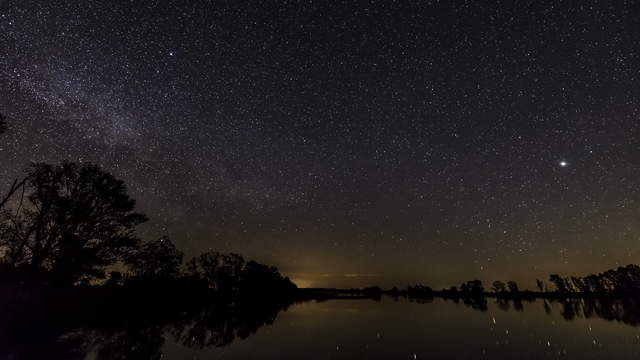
[349,143]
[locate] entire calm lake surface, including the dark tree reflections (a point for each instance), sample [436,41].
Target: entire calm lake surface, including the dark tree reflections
[337,329]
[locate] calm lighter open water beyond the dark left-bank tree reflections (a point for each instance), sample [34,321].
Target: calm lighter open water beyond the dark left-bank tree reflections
[390,329]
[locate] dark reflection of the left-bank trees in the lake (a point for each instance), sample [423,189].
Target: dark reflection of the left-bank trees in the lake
[136,338]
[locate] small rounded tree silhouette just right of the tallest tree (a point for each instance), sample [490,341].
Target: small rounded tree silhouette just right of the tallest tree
[159,259]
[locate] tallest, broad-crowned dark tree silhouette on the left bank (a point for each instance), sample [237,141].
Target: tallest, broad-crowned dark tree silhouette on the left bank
[77,219]
